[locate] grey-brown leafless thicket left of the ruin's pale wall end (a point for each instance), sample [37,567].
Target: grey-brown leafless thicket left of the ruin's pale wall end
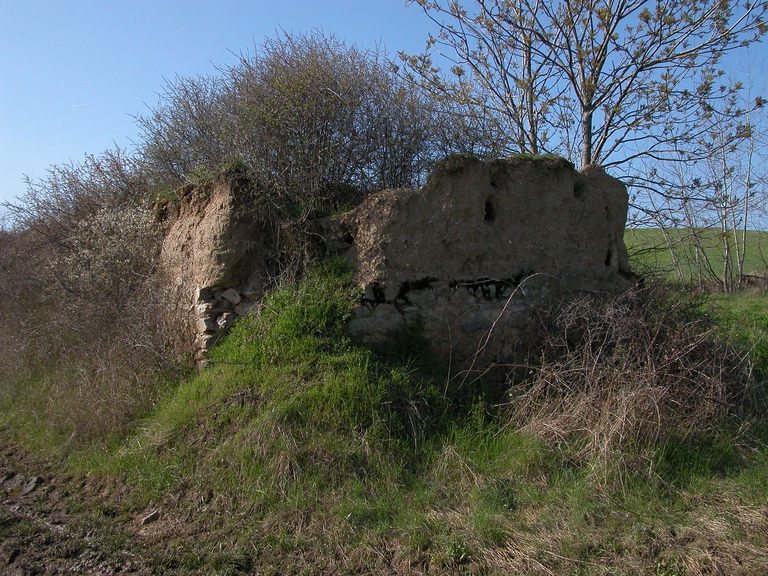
[87,342]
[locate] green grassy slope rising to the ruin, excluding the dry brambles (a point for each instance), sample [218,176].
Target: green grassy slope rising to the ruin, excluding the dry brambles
[299,452]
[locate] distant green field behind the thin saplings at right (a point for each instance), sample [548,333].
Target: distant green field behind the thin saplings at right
[649,249]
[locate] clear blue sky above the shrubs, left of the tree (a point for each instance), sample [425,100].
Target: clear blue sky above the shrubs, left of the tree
[72,72]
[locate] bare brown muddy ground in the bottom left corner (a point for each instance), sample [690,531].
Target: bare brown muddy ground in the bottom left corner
[53,524]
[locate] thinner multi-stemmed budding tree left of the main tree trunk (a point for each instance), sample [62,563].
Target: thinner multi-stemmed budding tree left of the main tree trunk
[497,78]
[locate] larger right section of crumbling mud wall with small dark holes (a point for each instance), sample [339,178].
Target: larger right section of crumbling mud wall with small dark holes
[474,255]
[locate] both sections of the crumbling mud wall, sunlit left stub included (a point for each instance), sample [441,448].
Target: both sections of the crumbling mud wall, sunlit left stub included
[469,259]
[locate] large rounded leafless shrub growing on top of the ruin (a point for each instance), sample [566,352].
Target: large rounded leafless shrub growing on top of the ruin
[315,123]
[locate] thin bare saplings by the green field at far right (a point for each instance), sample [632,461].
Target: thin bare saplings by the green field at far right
[706,209]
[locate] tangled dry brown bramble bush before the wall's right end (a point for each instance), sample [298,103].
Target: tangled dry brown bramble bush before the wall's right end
[617,378]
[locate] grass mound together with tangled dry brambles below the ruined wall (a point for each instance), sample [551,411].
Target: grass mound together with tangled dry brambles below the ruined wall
[637,447]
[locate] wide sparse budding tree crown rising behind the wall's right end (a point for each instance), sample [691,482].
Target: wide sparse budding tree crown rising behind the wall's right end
[609,80]
